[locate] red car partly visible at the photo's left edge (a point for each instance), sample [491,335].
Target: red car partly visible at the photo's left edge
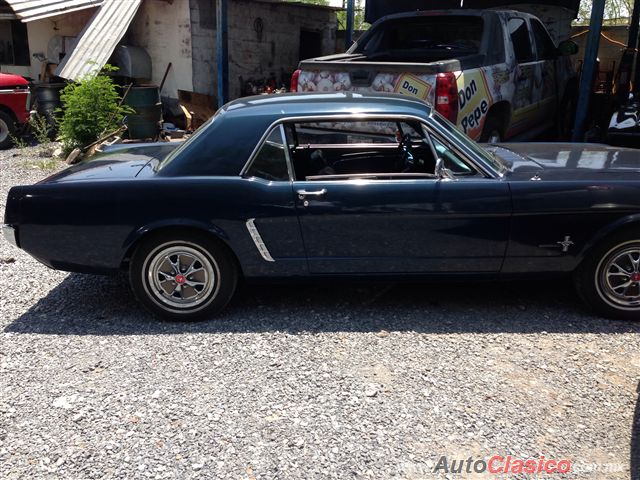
[15,99]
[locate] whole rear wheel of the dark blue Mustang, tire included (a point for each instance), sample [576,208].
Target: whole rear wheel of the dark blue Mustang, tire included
[171,292]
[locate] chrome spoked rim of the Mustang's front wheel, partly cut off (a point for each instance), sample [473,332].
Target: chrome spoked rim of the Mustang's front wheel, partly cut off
[619,277]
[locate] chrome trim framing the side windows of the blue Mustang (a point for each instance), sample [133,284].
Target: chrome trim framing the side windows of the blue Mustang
[471,156]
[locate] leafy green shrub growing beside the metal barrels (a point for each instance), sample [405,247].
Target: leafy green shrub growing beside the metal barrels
[91,108]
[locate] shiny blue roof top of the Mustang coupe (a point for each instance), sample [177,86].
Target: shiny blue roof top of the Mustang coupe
[326,104]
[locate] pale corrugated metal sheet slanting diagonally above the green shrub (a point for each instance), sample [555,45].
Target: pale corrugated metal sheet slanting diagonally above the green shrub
[98,39]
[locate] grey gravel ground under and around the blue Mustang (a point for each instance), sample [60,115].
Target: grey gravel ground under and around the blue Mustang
[306,382]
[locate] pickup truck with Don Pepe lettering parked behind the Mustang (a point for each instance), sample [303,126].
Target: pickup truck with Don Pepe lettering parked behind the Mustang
[496,74]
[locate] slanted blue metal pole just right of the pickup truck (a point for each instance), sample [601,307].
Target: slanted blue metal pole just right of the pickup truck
[588,68]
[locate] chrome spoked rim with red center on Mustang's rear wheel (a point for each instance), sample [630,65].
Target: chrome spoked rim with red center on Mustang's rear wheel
[180,276]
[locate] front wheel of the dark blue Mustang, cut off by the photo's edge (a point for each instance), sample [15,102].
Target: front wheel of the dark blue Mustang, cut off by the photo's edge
[601,278]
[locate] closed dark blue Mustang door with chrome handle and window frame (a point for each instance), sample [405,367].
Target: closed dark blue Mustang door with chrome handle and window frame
[371,222]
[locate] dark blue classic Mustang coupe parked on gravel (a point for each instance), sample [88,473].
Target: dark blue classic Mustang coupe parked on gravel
[322,185]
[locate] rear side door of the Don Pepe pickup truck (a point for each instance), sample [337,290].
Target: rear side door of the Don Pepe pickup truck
[524,105]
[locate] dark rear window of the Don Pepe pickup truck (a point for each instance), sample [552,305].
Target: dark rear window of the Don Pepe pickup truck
[458,34]
